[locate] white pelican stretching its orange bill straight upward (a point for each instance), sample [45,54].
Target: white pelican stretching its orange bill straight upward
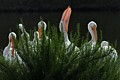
[63,26]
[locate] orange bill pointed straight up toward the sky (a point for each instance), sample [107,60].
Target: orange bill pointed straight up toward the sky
[66,17]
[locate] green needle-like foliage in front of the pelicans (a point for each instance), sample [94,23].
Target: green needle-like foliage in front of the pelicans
[48,59]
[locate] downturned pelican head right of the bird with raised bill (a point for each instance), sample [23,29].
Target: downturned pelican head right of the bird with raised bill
[92,29]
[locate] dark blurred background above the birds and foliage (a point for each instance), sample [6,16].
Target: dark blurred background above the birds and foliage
[106,13]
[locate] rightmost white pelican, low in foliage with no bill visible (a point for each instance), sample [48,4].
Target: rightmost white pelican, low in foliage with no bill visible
[106,48]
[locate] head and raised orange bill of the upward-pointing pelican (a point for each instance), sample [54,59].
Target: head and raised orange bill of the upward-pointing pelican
[65,19]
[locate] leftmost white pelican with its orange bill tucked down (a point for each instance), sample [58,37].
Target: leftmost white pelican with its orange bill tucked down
[9,51]
